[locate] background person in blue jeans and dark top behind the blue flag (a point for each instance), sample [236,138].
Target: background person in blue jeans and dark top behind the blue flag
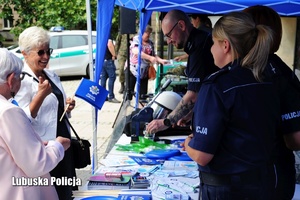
[109,70]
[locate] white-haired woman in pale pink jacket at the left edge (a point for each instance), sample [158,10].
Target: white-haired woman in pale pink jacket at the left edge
[23,156]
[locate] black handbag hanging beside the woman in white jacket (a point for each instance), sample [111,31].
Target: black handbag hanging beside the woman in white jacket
[81,150]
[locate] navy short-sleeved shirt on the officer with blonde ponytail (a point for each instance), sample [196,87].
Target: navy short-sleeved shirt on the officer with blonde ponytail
[235,120]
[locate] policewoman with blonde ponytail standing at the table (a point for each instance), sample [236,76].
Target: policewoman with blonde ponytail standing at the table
[234,123]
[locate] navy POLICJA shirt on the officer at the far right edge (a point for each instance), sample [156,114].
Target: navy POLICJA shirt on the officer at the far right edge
[288,87]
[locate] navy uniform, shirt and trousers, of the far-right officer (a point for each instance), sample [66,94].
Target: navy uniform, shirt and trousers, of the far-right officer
[288,87]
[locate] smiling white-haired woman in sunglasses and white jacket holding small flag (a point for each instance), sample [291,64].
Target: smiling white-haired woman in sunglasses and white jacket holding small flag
[43,99]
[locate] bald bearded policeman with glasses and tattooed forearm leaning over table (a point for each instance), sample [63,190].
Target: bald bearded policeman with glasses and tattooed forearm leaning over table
[180,32]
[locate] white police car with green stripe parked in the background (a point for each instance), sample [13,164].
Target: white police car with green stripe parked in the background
[70,55]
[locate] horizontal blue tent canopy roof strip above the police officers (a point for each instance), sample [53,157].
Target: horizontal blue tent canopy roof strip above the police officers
[212,7]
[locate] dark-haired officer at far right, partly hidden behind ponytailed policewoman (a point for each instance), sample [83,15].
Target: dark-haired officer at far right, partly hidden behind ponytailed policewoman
[289,92]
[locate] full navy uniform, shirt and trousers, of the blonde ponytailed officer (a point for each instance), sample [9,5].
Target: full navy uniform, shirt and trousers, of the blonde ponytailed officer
[236,120]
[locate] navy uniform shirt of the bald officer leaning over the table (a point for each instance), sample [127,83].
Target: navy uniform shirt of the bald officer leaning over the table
[200,61]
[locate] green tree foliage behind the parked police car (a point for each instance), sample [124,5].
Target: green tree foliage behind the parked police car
[47,13]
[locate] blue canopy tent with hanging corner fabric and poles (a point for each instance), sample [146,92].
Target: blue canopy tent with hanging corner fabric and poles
[146,7]
